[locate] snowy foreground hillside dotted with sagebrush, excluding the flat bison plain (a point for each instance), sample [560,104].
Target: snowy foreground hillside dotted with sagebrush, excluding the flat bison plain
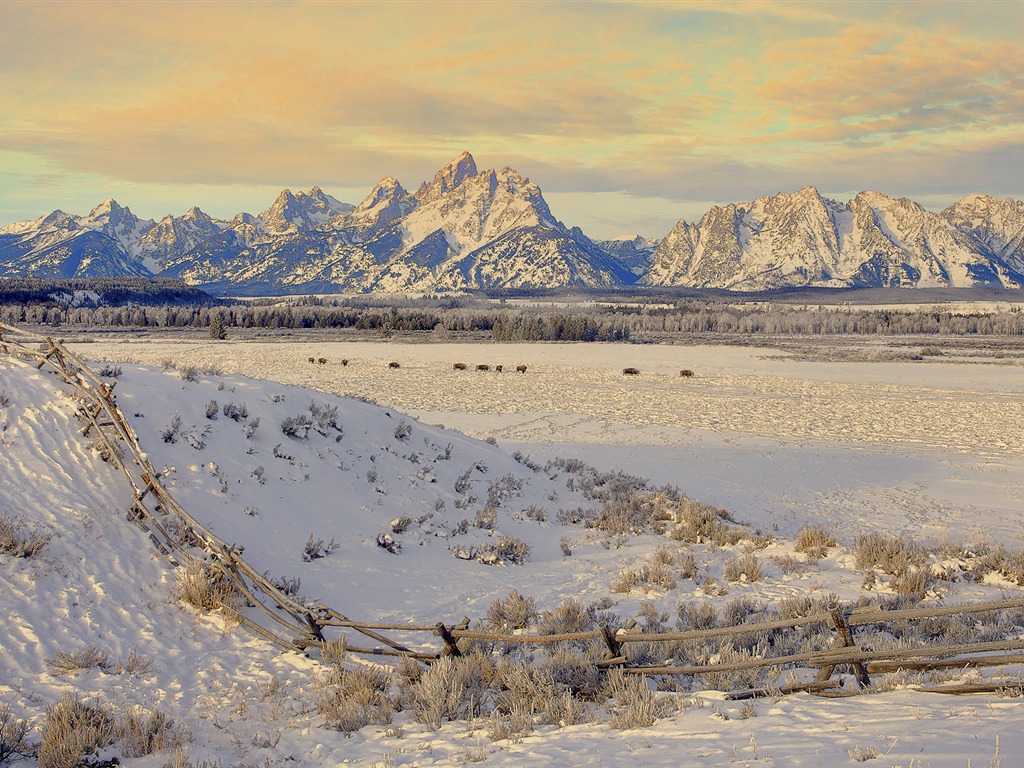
[267,465]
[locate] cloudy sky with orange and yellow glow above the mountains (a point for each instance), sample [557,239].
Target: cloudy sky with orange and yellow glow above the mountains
[629,116]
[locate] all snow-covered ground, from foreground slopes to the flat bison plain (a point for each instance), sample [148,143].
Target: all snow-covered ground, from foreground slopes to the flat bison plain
[932,450]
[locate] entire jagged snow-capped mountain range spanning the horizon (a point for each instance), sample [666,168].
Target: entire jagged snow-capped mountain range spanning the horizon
[493,230]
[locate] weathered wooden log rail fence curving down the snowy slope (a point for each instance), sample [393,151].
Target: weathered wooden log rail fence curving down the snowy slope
[300,626]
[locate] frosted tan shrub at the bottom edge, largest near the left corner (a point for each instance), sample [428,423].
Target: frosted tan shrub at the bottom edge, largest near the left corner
[72,732]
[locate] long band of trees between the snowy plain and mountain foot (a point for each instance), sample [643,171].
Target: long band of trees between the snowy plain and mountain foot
[141,304]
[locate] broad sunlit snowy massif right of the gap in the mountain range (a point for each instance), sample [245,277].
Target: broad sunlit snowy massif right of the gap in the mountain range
[805,240]
